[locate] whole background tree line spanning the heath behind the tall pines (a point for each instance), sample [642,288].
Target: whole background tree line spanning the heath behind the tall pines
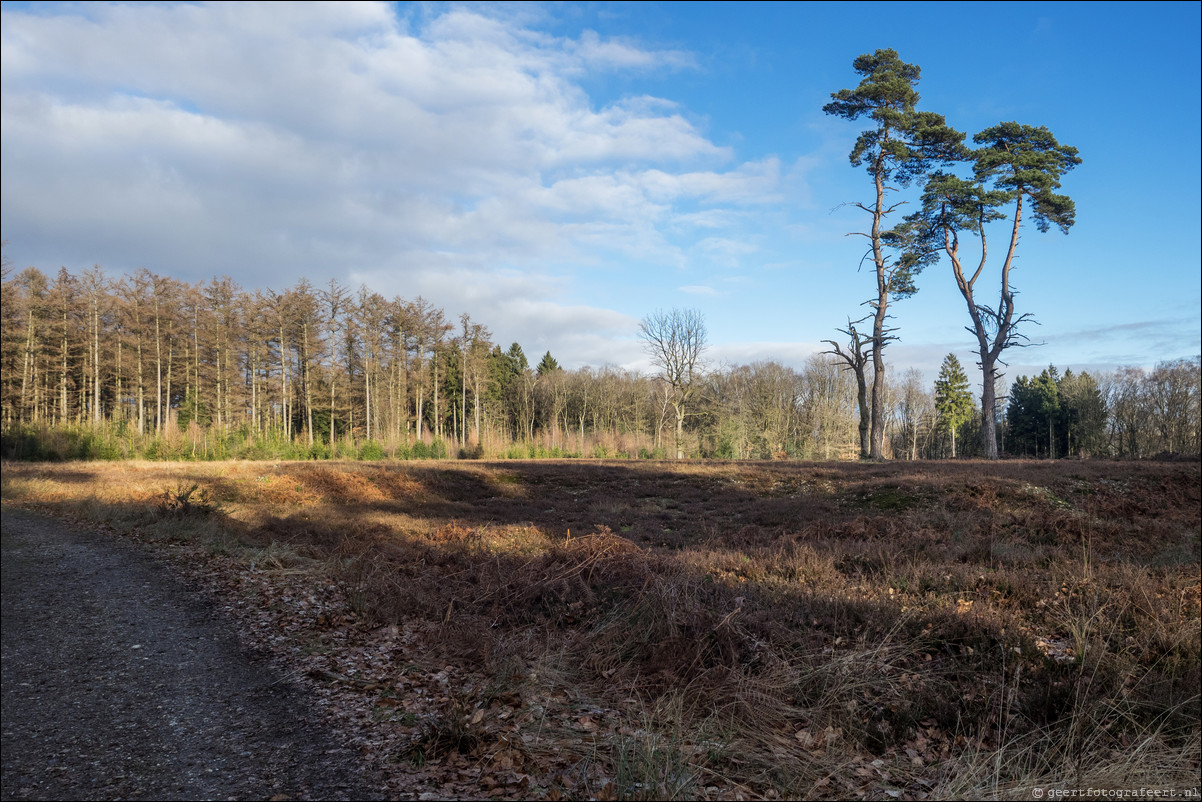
[148,366]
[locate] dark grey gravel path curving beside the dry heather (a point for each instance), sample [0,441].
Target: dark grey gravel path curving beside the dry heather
[122,684]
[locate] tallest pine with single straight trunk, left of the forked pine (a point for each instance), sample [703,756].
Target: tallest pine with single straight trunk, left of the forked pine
[901,146]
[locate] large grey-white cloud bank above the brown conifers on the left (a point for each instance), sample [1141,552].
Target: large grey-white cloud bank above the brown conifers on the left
[455,156]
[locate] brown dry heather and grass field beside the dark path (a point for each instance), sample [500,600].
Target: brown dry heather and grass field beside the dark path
[766,631]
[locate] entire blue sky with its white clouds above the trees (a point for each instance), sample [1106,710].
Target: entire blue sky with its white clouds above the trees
[561,171]
